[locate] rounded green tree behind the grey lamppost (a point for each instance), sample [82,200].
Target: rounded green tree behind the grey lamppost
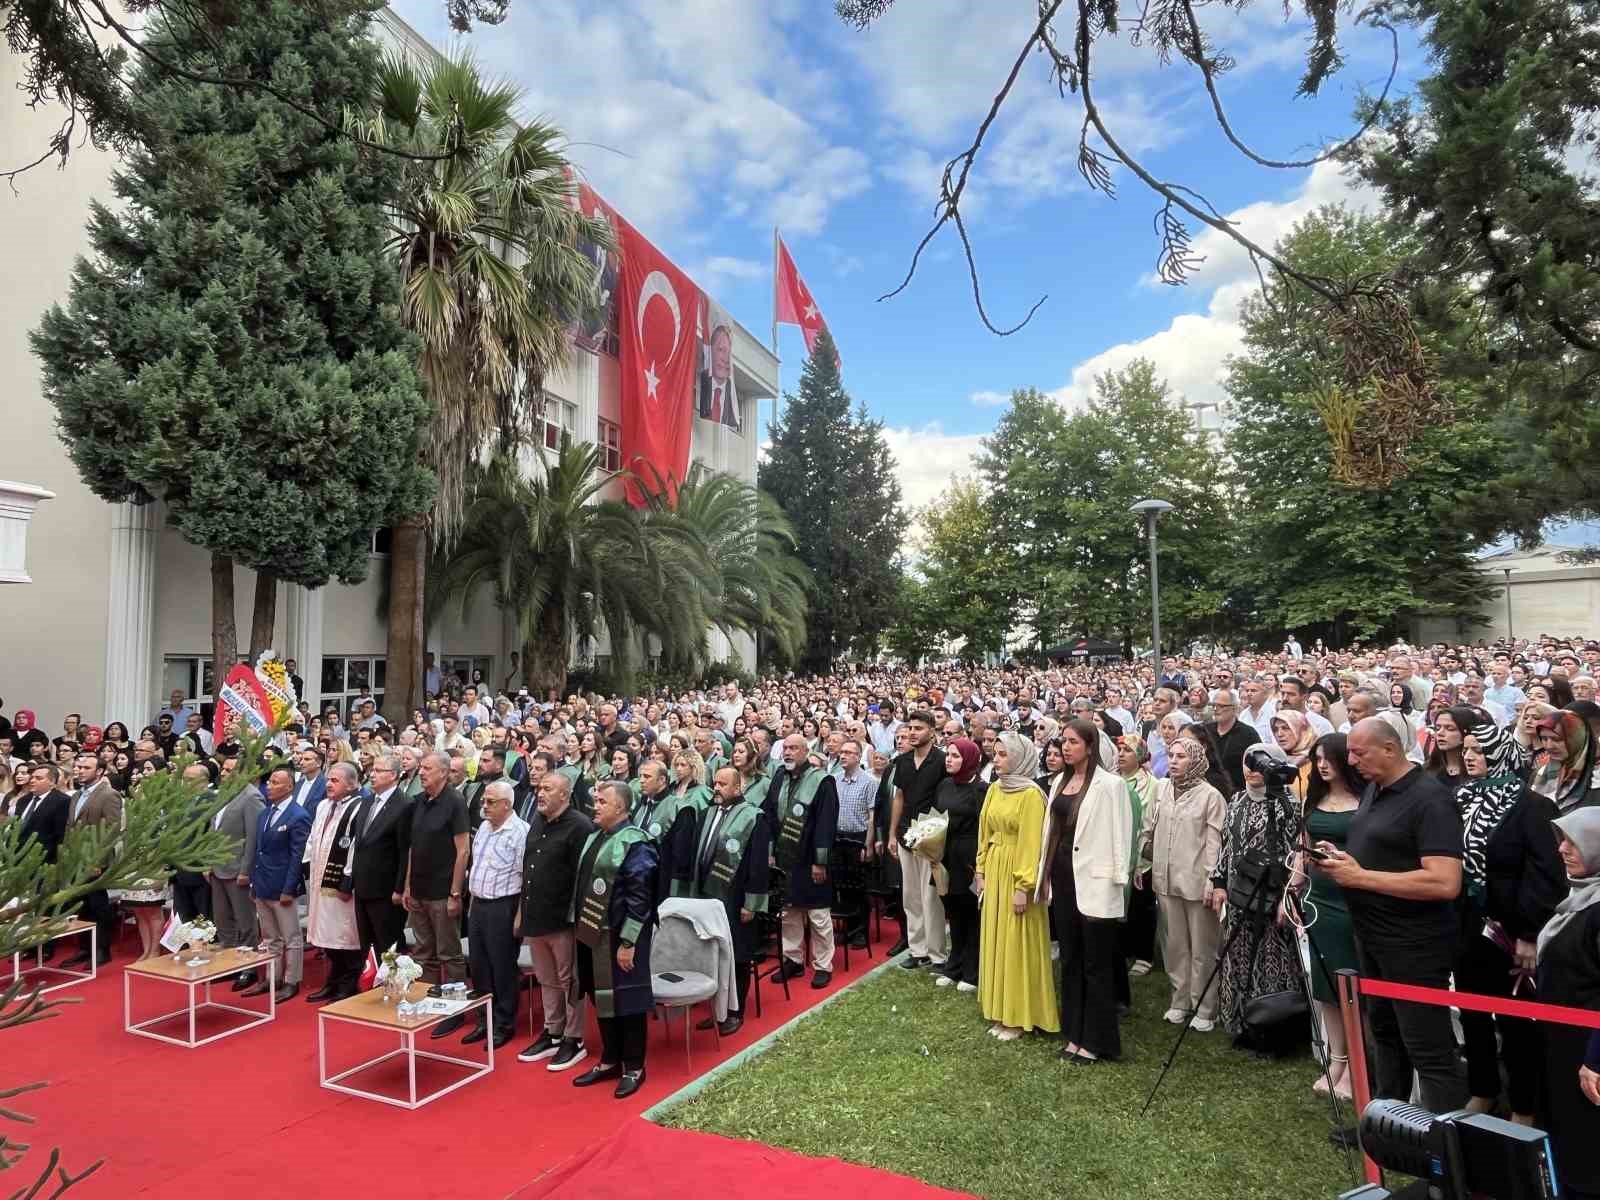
[1071,556]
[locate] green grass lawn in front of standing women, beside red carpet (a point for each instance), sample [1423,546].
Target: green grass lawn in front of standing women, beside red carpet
[900,1074]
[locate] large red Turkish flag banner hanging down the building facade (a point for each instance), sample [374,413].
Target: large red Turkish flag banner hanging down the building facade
[658,356]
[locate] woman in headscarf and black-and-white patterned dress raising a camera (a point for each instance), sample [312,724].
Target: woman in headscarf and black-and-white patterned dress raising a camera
[1263,959]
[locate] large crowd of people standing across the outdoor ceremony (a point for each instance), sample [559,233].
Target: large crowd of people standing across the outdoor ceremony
[1254,823]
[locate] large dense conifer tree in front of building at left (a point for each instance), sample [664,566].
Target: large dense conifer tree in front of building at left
[234,346]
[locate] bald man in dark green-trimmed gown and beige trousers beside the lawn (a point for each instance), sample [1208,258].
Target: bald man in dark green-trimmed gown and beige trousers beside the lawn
[802,807]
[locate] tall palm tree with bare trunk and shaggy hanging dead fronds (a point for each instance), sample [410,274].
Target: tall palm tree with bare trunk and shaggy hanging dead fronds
[489,239]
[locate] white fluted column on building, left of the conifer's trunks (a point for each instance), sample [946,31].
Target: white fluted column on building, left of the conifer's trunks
[130,617]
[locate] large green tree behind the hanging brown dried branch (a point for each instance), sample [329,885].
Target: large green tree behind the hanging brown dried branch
[1321,558]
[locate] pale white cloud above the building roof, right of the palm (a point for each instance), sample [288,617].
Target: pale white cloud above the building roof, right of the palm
[679,114]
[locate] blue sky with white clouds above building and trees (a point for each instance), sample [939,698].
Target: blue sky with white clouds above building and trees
[710,121]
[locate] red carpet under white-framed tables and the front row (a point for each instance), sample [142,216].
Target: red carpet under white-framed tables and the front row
[247,1118]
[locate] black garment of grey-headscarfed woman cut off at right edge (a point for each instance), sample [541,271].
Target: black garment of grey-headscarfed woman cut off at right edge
[1570,975]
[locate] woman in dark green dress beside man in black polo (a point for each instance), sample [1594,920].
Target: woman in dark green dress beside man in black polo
[1332,798]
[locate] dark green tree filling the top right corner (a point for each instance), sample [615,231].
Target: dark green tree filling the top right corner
[1492,169]
